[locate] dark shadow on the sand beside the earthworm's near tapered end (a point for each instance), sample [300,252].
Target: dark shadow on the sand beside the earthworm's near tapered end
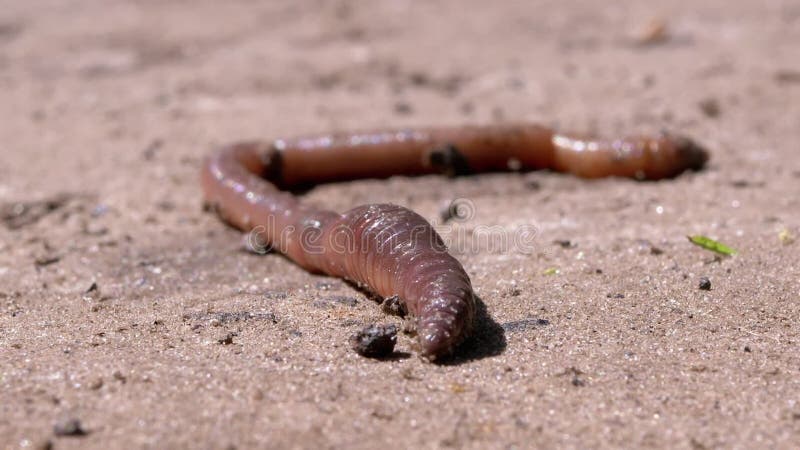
[488,339]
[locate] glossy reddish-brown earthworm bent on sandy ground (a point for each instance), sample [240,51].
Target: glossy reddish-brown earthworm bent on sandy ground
[391,250]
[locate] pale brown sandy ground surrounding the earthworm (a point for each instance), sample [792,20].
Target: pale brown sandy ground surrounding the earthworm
[126,307]
